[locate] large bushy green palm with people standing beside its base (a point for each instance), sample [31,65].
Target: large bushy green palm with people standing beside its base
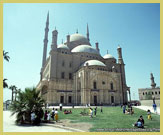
[27,101]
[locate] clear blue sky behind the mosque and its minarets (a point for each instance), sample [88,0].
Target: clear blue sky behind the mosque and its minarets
[135,27]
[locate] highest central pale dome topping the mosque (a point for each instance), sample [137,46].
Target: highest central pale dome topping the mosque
[79,38]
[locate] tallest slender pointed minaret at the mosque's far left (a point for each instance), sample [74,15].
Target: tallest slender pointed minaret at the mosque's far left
[45,41]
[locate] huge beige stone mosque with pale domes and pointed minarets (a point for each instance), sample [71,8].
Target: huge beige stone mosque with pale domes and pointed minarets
[75,73]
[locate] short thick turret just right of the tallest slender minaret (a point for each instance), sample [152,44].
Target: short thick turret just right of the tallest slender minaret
[54,40]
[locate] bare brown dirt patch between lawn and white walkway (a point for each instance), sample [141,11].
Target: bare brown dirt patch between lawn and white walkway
[81,126]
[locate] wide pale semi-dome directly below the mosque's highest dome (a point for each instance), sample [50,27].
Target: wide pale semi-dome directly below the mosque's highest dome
[85,48]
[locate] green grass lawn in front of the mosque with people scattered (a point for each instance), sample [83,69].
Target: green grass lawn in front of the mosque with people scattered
[111,118]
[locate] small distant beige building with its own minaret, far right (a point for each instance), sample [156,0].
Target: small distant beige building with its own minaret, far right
[149,95]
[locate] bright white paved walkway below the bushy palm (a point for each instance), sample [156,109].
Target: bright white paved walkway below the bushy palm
[9,126]
